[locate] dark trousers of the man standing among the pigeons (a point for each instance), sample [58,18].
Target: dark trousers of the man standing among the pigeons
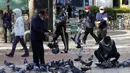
[38,52]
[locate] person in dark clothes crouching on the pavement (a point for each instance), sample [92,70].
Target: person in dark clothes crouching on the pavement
[107,50]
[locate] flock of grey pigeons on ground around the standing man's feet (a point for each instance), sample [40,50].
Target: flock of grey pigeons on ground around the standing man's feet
[59,66]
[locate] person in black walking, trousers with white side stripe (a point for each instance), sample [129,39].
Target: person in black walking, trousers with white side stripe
[61,30]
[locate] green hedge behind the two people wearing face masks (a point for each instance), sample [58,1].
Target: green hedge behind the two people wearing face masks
[111,11]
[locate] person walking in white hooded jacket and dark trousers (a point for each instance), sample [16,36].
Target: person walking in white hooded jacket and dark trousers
[19,34]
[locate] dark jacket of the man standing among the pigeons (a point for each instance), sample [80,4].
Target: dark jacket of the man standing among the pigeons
[38,29]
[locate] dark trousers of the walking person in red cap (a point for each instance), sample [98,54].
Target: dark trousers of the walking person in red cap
[87,31]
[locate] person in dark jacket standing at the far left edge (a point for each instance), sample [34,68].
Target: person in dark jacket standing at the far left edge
[6,17]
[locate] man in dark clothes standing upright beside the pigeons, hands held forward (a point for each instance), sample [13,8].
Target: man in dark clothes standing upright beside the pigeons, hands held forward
[38,32]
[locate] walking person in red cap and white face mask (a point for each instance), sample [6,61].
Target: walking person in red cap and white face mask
[89,25]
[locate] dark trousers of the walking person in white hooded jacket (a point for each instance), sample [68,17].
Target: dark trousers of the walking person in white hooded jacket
[15,42]
